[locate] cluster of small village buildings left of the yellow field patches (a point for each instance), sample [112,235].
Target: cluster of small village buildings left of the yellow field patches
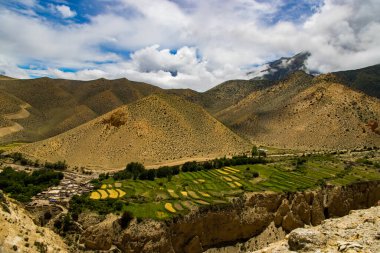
[69,186]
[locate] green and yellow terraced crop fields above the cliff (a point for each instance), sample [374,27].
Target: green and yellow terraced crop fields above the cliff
[164,198]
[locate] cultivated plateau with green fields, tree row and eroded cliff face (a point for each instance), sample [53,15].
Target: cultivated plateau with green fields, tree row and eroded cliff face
[217,192]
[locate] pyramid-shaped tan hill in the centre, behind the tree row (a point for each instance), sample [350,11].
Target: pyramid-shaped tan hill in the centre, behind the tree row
[155,129]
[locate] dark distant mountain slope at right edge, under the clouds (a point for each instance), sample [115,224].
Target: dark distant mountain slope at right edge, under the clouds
[366,79]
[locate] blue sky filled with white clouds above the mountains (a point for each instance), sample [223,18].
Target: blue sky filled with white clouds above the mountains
[193,44]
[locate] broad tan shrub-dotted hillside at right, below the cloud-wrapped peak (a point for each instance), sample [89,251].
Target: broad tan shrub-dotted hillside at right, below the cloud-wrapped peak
[303,112]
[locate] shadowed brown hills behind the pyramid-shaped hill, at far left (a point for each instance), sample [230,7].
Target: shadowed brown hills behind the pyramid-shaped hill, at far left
[56,106]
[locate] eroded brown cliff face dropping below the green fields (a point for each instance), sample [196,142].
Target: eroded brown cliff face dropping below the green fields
[253,215]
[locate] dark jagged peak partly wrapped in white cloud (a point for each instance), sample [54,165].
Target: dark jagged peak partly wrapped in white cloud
[281,68]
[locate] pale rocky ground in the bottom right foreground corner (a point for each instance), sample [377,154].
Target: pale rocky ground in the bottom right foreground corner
[357,232]
